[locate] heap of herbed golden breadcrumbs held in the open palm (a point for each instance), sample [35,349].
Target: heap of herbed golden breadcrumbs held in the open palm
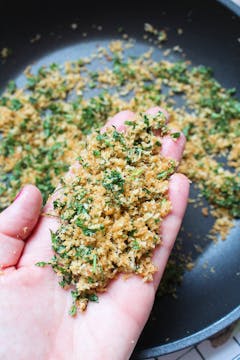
[111,208]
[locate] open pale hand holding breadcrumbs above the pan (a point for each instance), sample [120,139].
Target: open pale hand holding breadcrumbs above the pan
[34,320]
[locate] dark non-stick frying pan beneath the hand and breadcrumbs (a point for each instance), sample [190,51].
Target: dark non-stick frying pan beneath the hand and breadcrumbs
[206,301]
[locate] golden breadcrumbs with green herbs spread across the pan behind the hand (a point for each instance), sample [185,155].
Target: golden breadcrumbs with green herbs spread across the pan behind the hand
[43,122]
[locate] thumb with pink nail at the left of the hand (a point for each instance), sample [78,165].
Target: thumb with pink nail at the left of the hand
[16,224]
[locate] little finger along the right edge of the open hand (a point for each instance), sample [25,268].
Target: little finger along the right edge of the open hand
[178,195]
